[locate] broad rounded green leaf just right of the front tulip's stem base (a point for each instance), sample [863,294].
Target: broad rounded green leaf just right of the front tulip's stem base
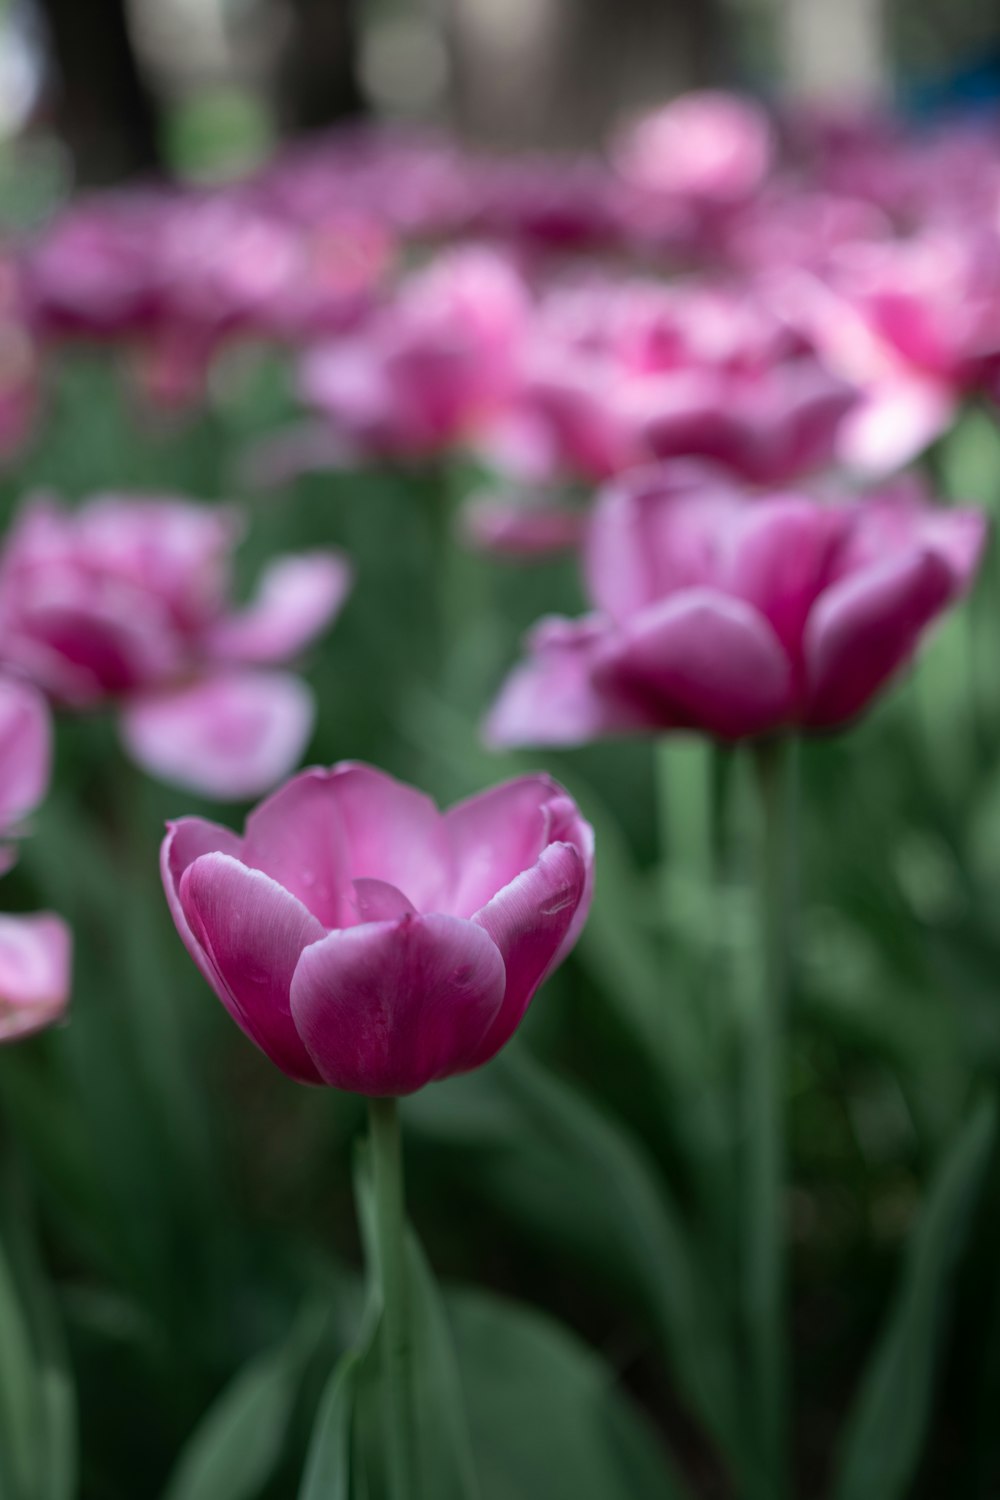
[549,1421]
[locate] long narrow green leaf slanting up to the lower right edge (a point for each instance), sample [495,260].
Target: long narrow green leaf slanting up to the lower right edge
[885,1432]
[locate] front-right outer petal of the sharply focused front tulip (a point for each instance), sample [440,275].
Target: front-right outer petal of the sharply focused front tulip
[528,922]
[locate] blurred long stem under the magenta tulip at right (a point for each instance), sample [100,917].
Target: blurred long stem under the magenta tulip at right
[767,1289]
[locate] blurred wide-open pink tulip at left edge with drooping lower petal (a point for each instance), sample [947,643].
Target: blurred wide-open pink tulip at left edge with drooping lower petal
[128,602]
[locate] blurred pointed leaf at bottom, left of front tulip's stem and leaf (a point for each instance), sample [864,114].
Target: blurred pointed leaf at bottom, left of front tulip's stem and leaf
[239,1444]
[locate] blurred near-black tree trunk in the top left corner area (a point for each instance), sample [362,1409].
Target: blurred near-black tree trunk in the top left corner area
[104,107]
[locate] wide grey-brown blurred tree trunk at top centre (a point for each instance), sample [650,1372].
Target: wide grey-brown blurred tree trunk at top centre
[560,73]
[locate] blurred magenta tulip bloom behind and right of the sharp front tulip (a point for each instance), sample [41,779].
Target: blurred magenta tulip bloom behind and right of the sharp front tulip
[734,616]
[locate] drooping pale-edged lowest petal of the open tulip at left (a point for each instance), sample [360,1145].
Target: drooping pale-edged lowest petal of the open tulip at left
[230,737]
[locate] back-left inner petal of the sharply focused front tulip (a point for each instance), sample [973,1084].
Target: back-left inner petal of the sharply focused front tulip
[298,838]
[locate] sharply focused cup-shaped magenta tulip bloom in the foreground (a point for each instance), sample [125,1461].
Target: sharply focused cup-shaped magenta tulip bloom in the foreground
[365,940]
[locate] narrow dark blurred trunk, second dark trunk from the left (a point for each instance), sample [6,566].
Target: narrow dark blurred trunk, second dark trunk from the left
[319,82]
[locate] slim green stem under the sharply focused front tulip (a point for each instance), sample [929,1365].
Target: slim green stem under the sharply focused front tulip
[391,1225]
